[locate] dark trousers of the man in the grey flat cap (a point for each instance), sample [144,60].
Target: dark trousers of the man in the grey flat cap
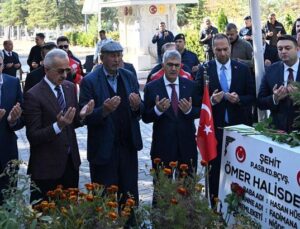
[121,170]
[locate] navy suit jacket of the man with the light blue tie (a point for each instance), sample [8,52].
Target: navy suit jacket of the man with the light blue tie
[241,82]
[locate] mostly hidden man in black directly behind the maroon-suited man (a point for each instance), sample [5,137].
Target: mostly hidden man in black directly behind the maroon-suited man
[38,74]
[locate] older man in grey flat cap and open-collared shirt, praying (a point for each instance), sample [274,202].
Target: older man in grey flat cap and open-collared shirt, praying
[113,128]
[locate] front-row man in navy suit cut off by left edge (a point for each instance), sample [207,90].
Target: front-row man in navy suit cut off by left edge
[10,112]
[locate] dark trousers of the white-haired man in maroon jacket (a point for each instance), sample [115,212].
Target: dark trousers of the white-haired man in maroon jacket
[69,179]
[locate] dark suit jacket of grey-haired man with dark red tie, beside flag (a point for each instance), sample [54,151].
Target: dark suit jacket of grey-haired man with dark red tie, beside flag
[172,136]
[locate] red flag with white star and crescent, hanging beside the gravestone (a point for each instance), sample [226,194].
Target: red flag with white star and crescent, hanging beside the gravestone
[206,139]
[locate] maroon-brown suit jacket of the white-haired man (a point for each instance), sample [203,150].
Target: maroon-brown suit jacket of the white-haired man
[48,150]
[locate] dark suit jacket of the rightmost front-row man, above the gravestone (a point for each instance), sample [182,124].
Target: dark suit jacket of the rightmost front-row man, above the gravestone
[284,113]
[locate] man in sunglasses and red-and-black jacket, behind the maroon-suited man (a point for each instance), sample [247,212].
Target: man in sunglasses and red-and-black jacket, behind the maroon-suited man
[76,73]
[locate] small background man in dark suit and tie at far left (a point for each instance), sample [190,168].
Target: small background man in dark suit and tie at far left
[11,59]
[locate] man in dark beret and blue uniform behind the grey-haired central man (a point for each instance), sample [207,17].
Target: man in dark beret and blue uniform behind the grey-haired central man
[188,58]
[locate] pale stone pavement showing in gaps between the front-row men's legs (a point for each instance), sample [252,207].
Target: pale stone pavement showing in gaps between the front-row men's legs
[145,180]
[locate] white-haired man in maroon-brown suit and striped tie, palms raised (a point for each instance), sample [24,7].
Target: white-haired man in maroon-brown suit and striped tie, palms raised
[51,116]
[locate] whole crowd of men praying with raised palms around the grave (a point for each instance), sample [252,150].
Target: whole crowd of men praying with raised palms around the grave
[111,107]
